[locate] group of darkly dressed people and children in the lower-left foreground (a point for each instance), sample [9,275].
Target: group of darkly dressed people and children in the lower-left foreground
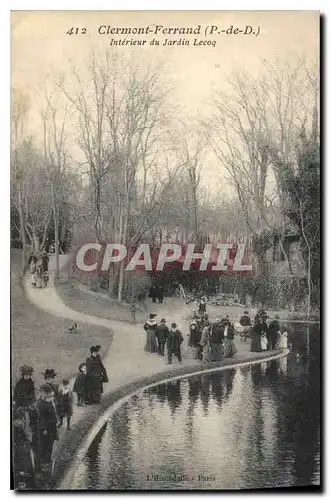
[36,420]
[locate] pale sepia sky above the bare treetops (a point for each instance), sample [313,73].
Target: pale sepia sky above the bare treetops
[40,47]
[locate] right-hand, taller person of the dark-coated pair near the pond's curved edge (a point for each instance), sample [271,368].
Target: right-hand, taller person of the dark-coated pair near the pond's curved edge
[95,376]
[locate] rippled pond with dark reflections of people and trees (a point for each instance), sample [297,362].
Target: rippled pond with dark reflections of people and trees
[244,428]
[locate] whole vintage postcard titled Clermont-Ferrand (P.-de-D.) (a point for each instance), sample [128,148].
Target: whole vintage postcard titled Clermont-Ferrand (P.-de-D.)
[165,250]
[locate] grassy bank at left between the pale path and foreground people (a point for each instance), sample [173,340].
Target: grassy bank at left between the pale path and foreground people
[42,340]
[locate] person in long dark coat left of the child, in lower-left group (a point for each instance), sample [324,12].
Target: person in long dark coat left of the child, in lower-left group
[47,424]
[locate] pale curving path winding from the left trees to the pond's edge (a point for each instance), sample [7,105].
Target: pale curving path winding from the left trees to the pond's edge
[126,361]
